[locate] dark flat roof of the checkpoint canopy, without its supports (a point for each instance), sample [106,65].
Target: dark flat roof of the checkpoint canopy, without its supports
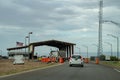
[53,43]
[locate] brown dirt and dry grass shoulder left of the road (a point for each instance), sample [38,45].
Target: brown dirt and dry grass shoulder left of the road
[7,67]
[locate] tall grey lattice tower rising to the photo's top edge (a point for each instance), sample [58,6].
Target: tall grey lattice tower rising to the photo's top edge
[100,50]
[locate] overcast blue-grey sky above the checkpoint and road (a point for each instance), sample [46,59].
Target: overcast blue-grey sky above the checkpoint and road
[74,21]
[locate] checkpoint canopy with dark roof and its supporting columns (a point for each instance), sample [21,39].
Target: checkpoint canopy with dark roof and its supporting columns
[61,45]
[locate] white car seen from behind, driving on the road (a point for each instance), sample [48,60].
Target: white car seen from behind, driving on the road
[76,59]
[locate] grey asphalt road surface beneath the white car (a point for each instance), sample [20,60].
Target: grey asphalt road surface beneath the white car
[64,72]
